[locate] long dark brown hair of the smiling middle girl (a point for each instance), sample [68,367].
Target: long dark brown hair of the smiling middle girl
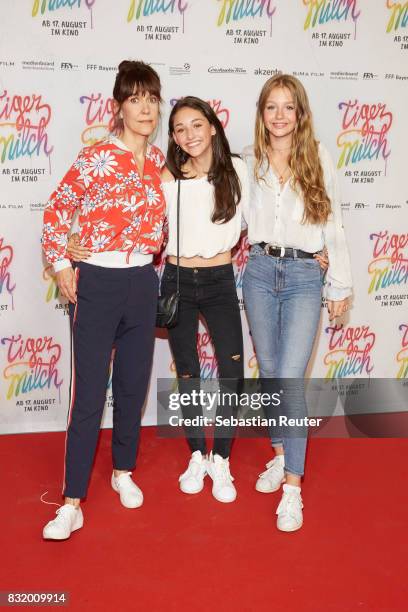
[222,174]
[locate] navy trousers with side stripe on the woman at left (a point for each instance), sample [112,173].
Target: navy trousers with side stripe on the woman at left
[116,309]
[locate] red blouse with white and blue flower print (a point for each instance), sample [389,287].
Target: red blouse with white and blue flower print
[118,209]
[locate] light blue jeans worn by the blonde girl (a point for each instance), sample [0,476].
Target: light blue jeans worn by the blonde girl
[283,301]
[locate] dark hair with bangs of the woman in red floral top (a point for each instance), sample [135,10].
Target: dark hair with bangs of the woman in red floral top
[133,77]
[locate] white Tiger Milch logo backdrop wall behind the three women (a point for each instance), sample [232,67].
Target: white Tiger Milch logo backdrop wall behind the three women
[58,60]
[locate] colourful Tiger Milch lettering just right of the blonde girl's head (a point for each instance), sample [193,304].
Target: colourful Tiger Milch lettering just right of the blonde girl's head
[364,134]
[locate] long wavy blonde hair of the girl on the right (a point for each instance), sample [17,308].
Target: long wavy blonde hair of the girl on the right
[304,161]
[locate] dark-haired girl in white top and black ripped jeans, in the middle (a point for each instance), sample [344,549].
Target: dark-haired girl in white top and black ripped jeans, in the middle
[213,189]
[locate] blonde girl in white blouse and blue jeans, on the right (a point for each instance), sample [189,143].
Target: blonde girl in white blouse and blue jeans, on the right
[294,211]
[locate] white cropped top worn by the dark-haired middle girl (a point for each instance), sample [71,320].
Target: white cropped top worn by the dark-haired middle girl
[199,236]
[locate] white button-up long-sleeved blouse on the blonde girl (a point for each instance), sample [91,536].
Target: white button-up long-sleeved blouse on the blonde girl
[274,215]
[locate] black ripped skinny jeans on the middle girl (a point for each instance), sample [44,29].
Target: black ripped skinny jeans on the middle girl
[209,292]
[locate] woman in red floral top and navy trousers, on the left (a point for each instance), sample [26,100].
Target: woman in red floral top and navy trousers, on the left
[115,187]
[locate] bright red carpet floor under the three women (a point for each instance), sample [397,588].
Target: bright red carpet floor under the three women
[182,552]
